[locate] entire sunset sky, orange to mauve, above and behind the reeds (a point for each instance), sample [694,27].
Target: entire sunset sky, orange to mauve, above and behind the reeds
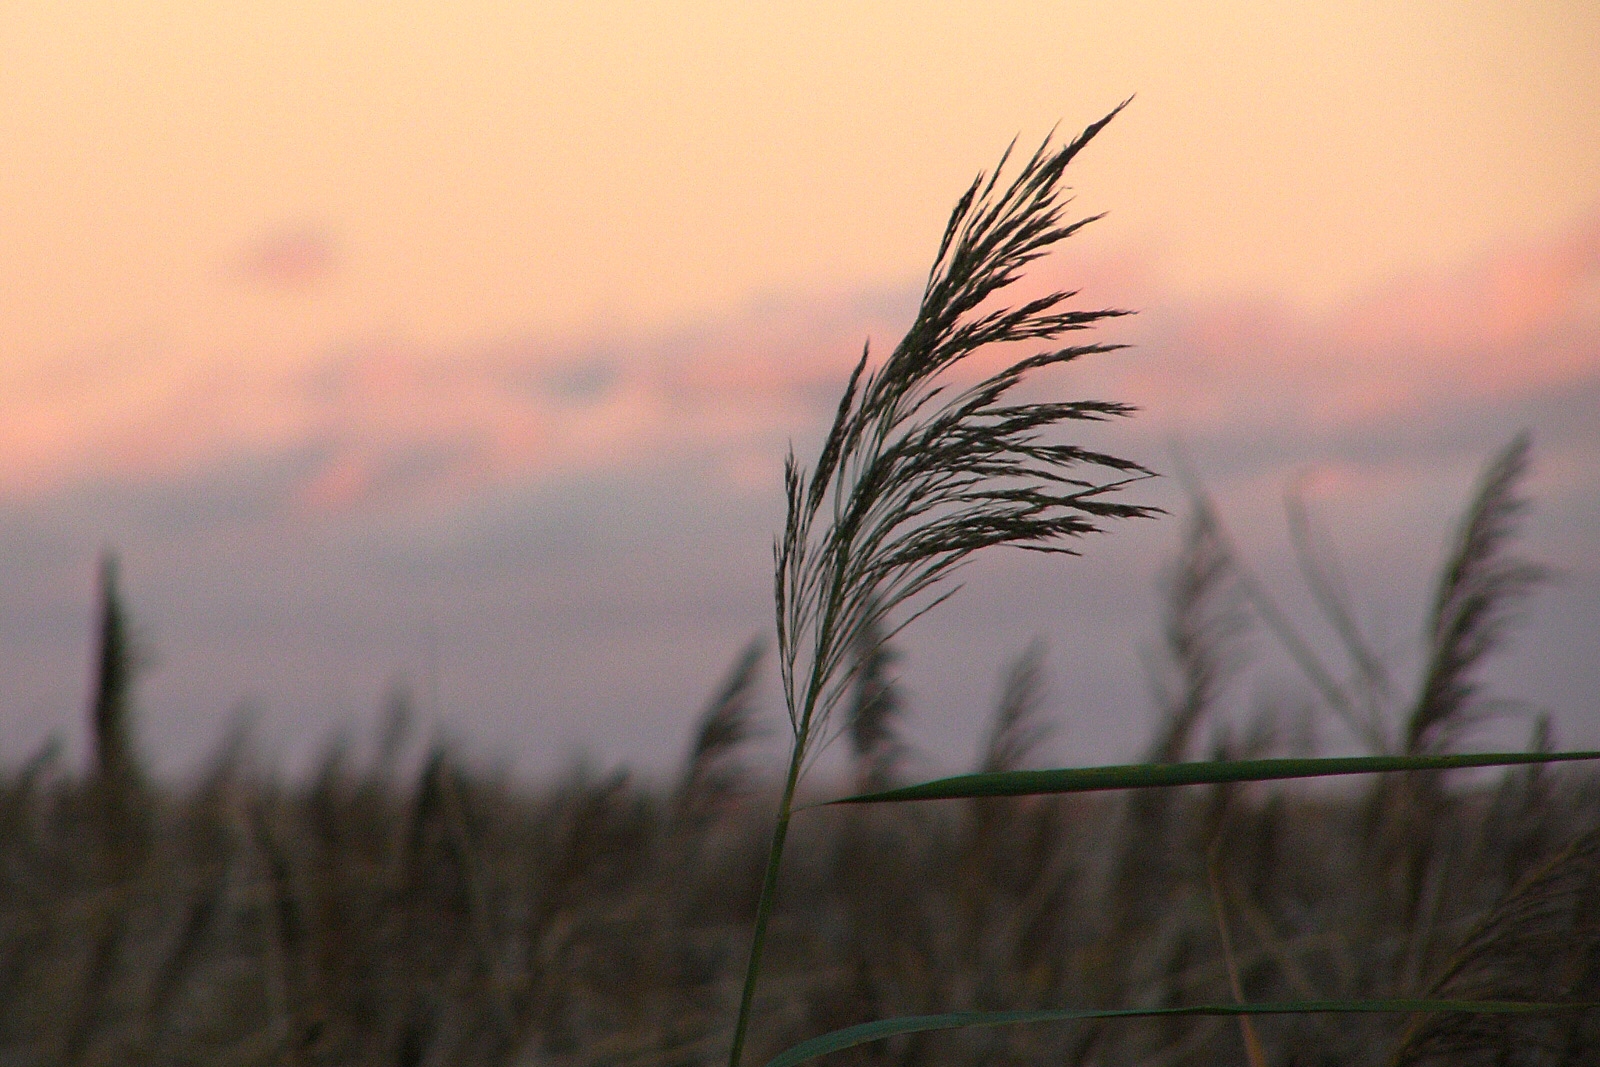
[460,346]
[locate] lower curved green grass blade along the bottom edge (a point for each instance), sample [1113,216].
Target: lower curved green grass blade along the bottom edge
[961,1020]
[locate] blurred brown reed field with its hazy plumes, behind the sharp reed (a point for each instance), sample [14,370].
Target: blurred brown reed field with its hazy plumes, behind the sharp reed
[442,916]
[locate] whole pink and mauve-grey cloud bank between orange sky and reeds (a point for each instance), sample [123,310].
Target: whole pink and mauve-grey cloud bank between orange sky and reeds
[564,538]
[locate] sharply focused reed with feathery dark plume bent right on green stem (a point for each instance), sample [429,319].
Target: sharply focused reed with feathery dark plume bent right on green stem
[919,473]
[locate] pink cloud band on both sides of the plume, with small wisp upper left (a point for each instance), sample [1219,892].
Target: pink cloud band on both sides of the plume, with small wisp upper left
[394,422]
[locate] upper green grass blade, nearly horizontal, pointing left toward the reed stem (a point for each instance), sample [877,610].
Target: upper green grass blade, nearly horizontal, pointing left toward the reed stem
[1199,773]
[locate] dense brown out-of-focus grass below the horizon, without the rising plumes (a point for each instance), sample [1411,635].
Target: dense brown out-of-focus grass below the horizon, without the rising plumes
[455,919]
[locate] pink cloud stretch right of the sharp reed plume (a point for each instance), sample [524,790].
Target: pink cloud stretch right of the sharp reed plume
[1516,324]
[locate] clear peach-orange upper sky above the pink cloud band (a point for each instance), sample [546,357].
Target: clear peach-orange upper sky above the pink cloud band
[270,178]
